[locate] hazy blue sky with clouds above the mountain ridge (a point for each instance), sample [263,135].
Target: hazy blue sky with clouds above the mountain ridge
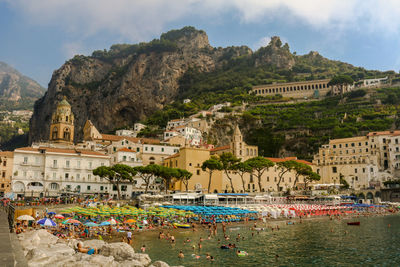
[38,36]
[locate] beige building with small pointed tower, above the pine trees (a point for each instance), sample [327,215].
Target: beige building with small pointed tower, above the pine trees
[237,147]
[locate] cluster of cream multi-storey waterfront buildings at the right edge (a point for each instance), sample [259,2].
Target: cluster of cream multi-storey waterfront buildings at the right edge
[363,161]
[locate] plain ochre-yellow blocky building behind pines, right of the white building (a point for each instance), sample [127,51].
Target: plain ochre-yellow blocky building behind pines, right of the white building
[191,159]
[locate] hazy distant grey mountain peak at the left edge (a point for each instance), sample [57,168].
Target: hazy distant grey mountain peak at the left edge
[16,90]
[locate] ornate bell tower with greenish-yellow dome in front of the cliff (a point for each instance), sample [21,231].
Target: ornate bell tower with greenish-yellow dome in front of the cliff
[62,124]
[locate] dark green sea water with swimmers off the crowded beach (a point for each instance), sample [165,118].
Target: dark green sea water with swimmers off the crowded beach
[314,242]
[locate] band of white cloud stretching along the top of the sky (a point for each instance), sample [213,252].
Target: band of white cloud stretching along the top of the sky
[138,20]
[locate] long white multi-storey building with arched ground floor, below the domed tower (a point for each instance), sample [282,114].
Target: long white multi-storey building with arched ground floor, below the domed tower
[39,172]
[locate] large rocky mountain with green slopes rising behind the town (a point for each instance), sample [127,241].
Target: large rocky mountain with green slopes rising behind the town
[146,82]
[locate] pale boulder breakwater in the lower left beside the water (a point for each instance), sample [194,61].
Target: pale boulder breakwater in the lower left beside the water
[44,249]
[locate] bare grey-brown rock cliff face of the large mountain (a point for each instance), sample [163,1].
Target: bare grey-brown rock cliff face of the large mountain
[117,87]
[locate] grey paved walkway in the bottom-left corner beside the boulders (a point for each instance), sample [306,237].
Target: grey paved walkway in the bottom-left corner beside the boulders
[10,249]
